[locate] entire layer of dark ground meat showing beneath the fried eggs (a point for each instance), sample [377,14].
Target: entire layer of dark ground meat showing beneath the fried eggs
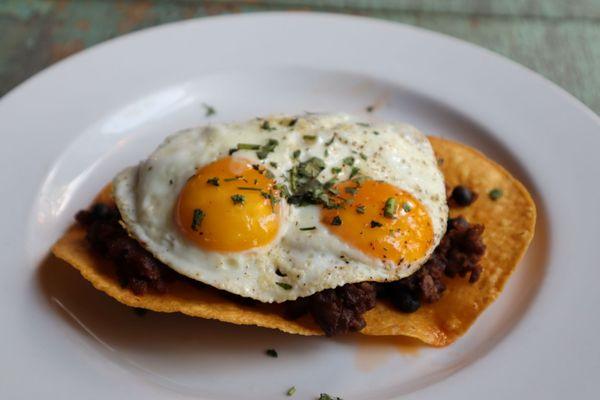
[336,311]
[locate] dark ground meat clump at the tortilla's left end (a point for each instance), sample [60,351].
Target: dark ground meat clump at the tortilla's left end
[136,268]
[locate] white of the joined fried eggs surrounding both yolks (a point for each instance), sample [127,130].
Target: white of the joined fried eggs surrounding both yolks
[311,261]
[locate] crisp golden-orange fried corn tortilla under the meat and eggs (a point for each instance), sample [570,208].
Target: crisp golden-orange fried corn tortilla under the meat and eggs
[509,225]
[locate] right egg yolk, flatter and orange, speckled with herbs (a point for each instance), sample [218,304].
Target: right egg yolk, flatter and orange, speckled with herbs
[380,220]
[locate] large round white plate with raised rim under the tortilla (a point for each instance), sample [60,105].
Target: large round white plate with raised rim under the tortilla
[67,130]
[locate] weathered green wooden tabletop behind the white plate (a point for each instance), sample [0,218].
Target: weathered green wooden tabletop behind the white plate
[560,39]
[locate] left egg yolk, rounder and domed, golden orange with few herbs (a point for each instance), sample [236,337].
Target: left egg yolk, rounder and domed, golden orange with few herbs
[228,205]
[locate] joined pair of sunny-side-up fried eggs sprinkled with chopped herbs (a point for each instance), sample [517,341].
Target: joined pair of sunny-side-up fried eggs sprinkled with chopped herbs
[280,208]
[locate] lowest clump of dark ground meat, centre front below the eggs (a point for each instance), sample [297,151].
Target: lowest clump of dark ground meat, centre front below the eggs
[337,310]
